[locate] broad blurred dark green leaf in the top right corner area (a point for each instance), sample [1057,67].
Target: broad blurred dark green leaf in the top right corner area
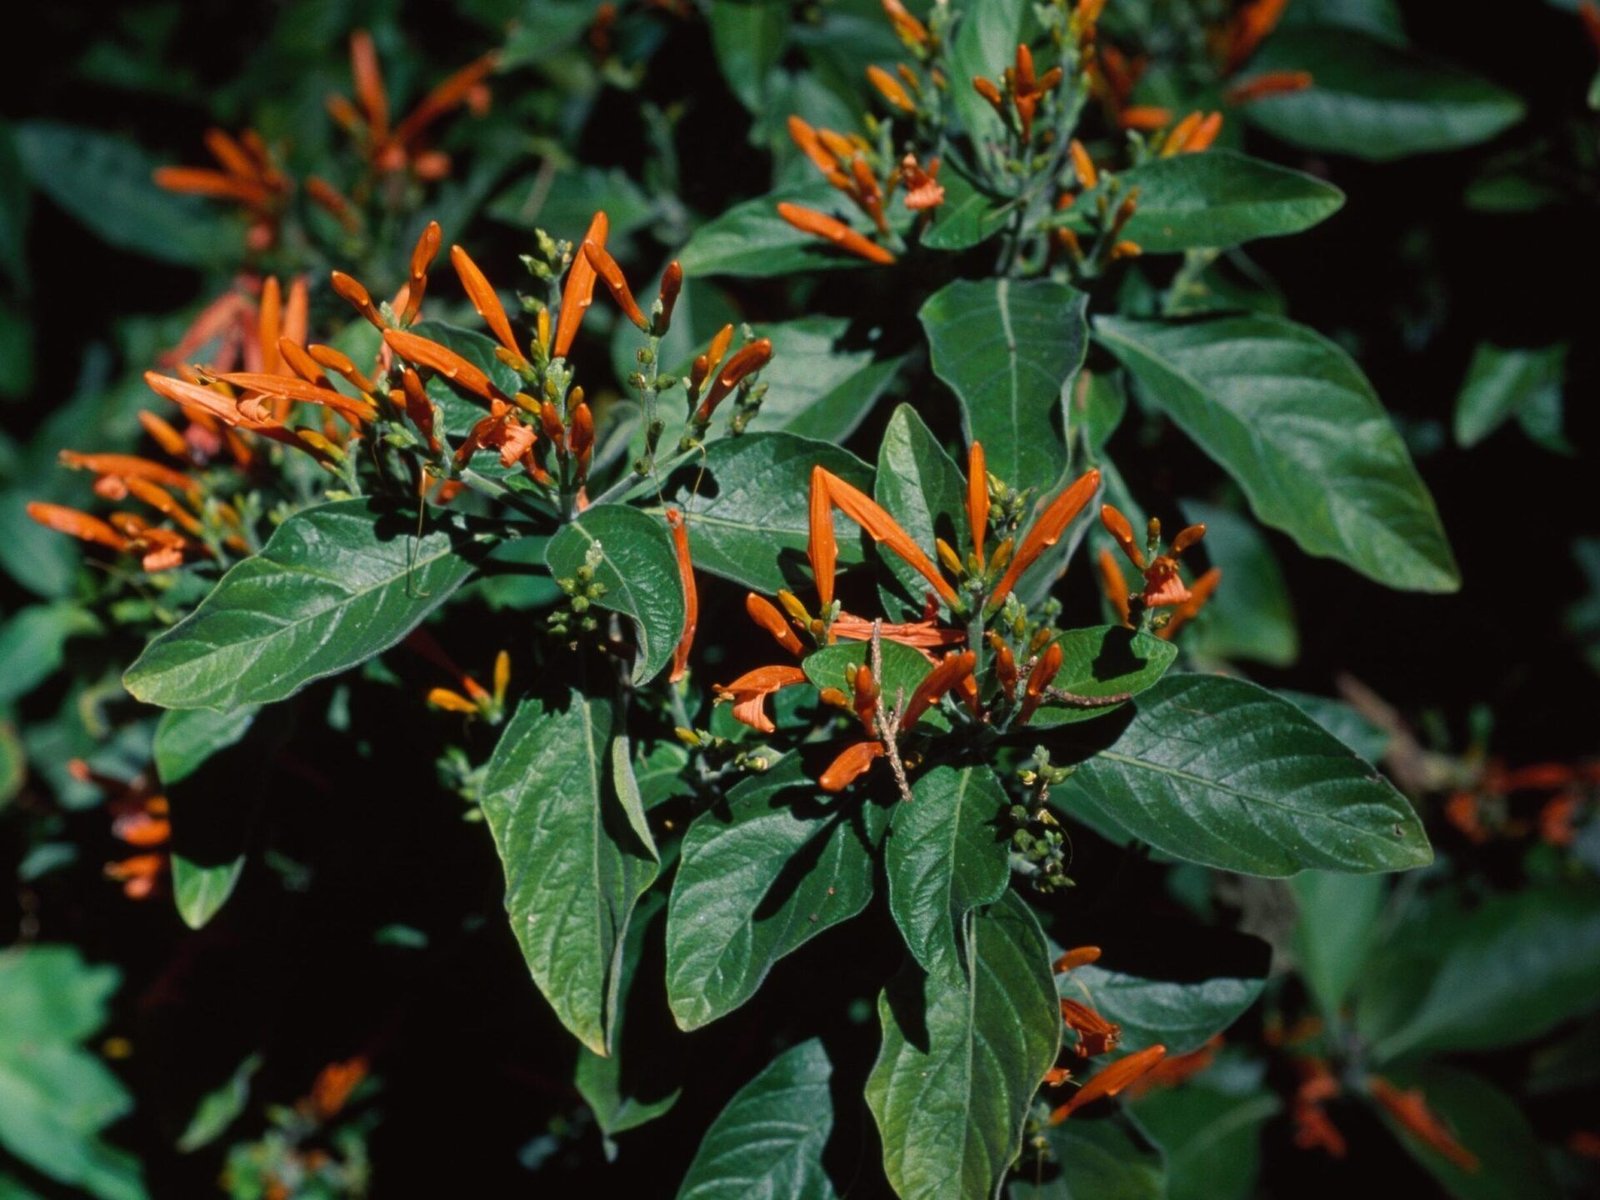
[1375,102]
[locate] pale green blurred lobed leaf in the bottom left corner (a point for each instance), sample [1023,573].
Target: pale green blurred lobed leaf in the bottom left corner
[55,1098]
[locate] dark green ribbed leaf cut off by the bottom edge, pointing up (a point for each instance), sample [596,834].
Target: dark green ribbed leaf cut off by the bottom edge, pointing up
[769,1140]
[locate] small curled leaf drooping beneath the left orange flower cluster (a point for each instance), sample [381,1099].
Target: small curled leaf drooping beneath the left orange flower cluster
[633,558]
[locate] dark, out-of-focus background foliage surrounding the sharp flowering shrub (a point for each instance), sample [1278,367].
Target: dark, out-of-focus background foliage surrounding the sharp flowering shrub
[140,1057]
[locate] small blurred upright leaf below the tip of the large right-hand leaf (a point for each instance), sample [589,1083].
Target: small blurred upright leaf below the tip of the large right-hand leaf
[1338,922]
